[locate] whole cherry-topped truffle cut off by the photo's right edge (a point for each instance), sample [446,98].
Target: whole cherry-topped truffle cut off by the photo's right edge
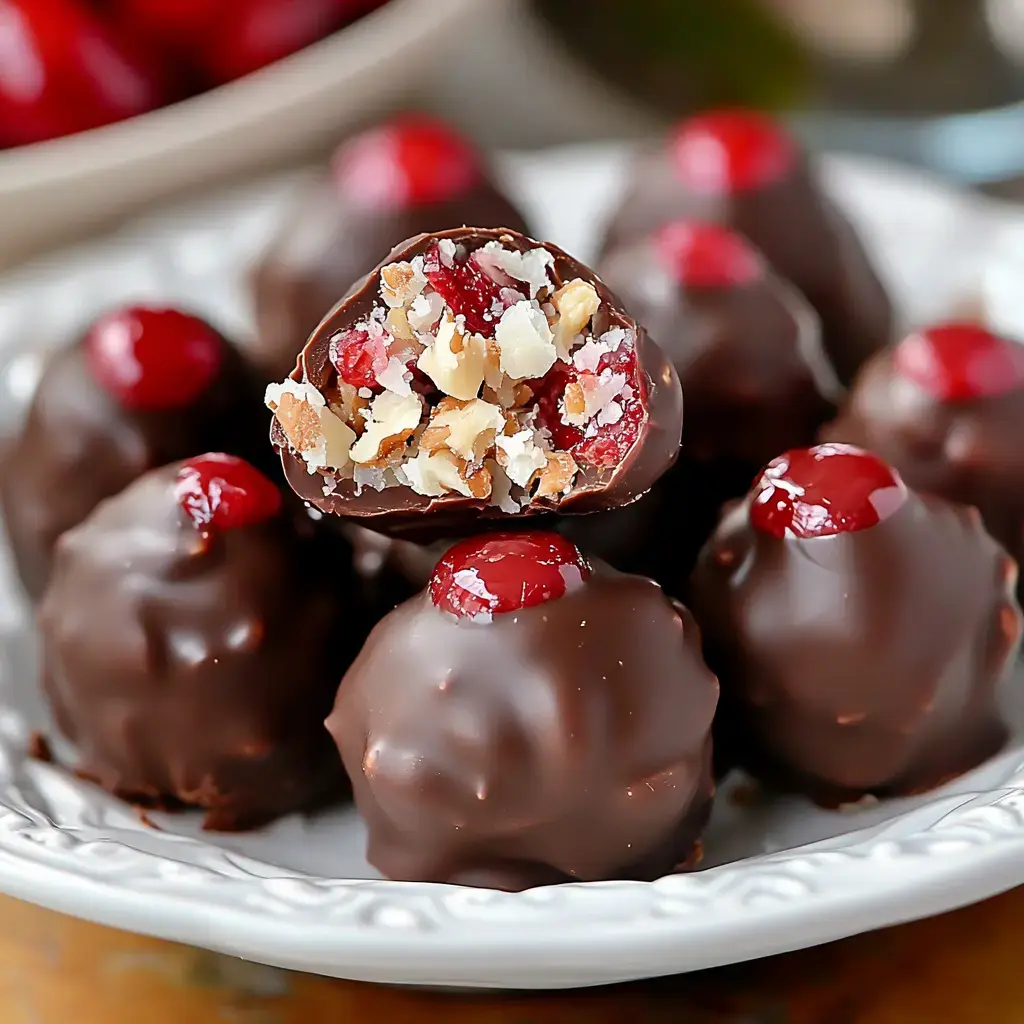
[947,408]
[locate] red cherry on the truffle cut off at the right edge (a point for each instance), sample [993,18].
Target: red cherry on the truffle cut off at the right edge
[961,362]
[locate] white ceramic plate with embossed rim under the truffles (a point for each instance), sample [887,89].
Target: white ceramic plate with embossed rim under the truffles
[779,875]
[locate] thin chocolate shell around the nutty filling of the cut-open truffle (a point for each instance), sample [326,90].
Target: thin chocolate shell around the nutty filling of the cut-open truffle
[400,510]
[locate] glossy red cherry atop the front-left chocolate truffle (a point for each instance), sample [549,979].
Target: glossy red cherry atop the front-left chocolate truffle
[223,492]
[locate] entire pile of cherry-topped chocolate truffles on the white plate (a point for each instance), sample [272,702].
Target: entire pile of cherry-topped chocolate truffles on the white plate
[479,426]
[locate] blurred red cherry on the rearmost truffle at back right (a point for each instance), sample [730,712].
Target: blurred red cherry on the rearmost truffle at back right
[726,152]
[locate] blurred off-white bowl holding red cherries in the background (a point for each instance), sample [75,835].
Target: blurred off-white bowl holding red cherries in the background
[54,191]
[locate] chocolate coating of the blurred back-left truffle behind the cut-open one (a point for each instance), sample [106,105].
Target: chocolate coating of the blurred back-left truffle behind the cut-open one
[328,243]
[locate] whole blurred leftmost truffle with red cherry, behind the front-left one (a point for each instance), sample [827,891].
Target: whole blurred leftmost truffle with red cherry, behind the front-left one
[144,388]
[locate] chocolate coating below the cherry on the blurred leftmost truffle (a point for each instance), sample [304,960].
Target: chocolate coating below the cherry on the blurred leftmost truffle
[79,446]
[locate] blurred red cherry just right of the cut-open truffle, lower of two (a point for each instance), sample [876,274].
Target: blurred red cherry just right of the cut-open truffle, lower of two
[705,255]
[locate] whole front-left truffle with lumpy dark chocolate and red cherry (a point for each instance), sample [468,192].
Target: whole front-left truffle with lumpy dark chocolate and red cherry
[192,635]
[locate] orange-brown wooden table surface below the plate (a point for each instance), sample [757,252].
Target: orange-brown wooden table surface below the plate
[964,967]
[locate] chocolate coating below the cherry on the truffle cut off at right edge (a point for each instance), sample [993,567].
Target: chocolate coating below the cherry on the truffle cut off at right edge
[968,452]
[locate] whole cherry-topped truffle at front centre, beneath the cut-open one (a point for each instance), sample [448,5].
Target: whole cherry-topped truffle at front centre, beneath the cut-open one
[527,720]
